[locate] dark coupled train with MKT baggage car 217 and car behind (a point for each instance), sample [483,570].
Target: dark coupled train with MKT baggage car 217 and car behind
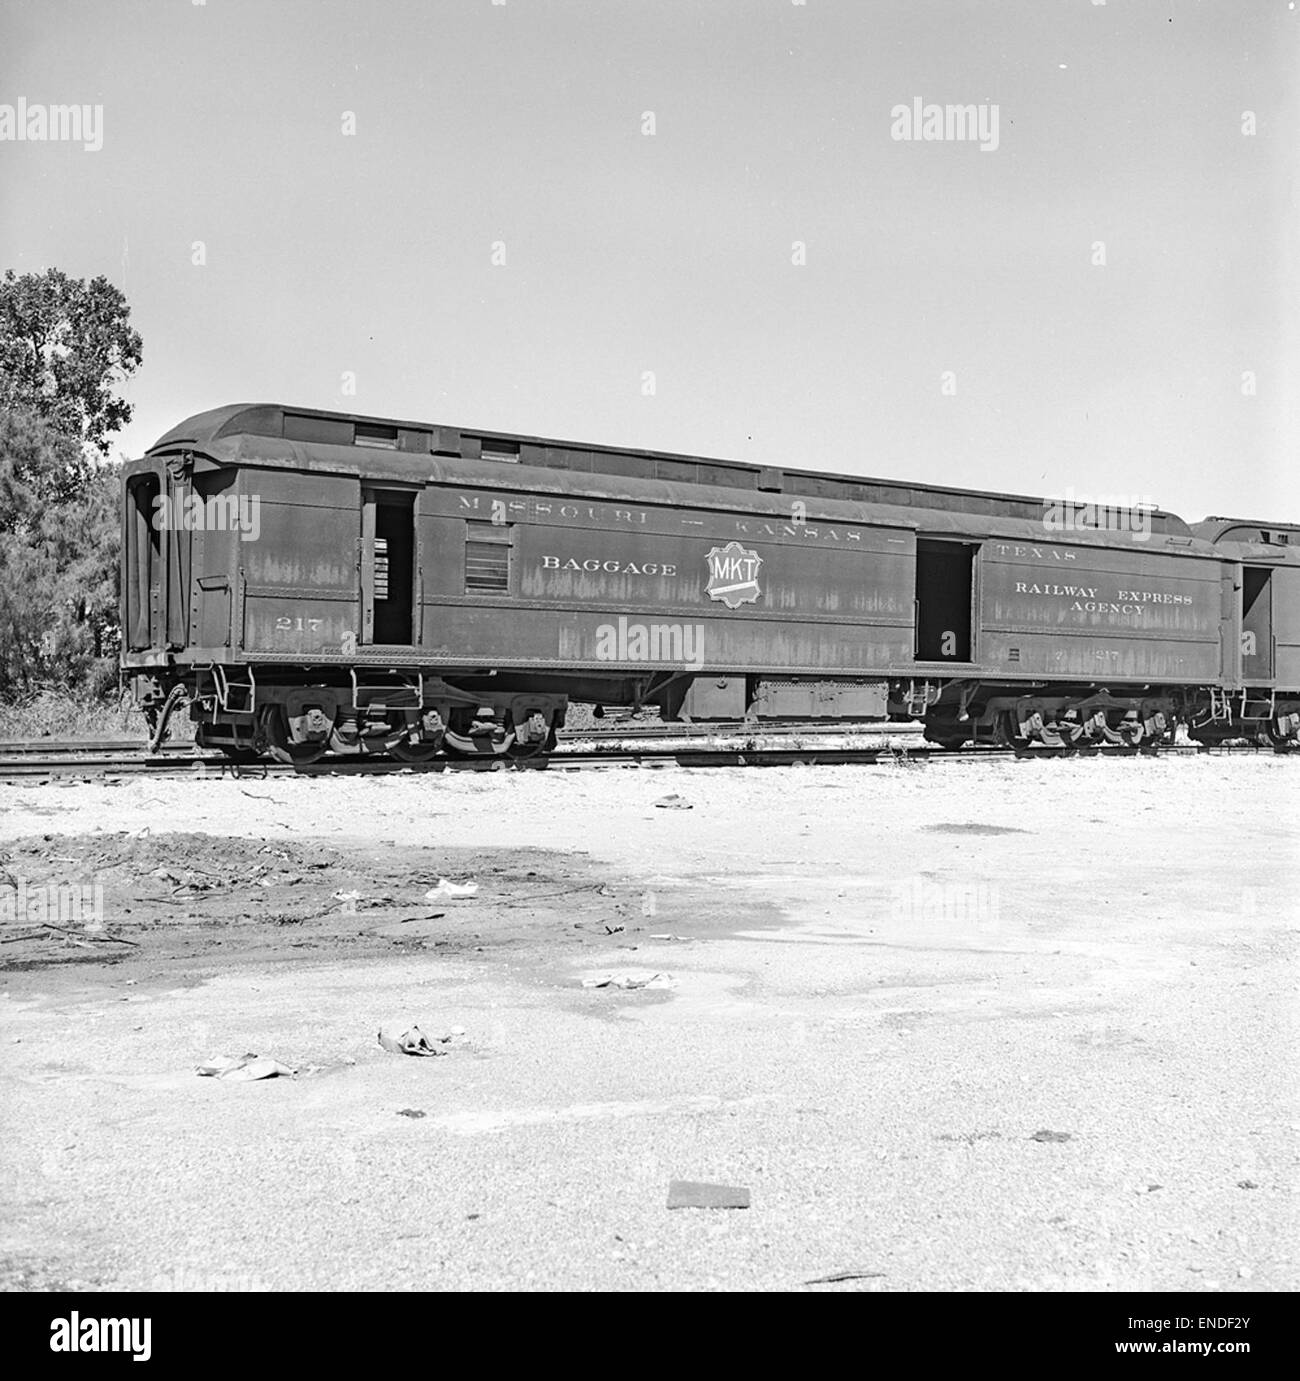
[316,582]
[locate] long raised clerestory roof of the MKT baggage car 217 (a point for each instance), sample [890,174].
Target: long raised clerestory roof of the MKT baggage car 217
[318,434]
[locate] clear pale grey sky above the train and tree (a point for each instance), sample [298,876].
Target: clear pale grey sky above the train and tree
[951,322]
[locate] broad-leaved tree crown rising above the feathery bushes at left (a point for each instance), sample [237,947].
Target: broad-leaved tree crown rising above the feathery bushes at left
[66,346]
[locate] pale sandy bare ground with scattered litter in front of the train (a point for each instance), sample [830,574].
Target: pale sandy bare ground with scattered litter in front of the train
[998,1025]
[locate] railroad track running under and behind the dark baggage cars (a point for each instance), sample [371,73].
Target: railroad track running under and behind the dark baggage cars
[53,759]
